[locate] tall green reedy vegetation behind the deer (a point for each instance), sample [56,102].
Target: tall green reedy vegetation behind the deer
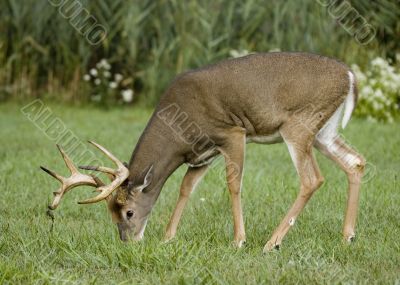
[41,54]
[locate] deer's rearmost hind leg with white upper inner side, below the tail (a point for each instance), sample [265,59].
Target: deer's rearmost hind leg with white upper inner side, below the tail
[353,165]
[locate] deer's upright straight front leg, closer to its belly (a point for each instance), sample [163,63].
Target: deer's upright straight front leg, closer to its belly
[233,152]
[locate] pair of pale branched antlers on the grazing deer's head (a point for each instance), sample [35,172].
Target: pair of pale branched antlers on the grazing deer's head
[78,179]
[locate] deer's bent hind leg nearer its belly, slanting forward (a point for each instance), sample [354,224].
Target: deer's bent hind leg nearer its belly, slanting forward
[310,180]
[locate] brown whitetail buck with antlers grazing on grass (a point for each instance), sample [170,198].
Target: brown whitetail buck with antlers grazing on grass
[297,98]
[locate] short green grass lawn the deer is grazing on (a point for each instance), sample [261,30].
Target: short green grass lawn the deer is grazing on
[83,246]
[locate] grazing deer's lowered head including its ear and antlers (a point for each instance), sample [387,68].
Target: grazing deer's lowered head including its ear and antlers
[121,196]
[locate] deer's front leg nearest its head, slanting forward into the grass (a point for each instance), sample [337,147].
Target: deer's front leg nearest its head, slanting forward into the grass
[189,182]
